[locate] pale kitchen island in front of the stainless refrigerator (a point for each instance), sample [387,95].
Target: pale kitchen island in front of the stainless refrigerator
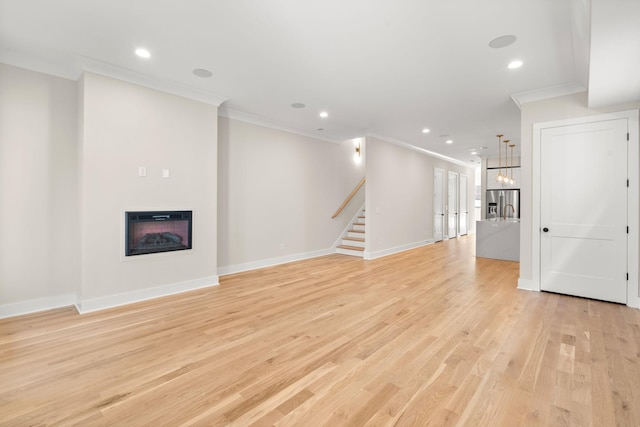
[498,238]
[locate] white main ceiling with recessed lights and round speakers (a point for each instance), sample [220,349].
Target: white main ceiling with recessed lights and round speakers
[378,67]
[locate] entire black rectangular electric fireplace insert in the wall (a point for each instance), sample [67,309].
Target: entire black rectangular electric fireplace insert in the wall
[160,231]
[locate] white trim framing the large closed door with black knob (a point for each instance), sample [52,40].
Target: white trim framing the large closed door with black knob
[633,208]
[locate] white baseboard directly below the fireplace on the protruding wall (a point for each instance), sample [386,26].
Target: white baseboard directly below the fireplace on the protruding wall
[117,300]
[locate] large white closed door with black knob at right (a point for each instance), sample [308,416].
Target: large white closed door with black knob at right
[583,216]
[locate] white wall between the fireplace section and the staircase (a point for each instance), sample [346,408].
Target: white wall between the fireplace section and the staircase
[277,192]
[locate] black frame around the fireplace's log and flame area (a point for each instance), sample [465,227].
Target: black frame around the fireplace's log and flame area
[135,217]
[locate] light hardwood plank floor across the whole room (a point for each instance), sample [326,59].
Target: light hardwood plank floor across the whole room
[431,336]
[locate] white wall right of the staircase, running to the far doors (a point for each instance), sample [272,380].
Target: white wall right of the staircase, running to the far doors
[399,196]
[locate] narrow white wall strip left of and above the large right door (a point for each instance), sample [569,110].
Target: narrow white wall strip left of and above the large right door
[561,108]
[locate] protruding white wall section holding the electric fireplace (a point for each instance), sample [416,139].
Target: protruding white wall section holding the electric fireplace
[125,126]
